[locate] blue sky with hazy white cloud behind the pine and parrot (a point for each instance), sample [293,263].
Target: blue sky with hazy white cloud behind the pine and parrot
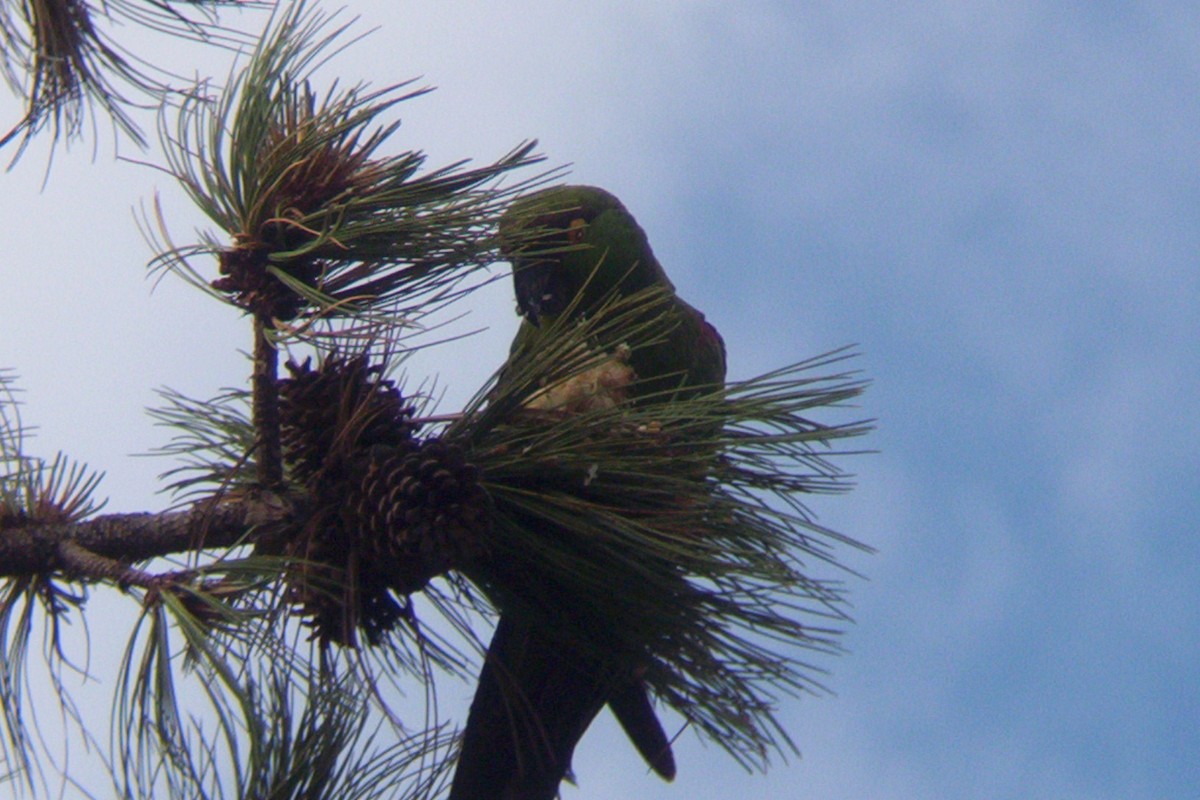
[989,200]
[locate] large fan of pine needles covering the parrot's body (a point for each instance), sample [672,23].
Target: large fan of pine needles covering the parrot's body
[676,530]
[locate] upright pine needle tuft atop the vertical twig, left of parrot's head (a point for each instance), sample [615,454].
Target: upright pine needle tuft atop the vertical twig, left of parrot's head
[321,222]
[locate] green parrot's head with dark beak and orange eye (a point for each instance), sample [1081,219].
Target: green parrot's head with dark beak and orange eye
[574,243]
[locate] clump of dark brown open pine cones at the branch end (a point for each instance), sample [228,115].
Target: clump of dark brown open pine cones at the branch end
[389,512]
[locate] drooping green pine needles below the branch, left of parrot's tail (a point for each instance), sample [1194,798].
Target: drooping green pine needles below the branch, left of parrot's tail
[287,725]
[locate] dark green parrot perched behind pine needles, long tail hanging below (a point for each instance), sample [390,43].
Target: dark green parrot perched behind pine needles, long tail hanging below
[572,249]
